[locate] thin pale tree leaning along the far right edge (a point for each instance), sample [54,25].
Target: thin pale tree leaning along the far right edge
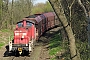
[87,14]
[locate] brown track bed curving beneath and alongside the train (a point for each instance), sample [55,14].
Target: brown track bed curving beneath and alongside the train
[40,51]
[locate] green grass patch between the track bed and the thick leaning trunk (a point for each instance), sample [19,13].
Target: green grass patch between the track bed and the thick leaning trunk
[55,45]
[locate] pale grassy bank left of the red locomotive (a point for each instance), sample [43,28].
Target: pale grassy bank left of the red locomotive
[5,36]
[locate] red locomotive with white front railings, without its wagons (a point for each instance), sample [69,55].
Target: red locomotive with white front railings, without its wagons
[24,36]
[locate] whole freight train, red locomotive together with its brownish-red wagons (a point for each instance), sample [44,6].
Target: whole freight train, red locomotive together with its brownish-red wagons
[29,30]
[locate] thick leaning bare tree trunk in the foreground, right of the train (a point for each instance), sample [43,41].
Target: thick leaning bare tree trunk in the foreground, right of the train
[60,12]
